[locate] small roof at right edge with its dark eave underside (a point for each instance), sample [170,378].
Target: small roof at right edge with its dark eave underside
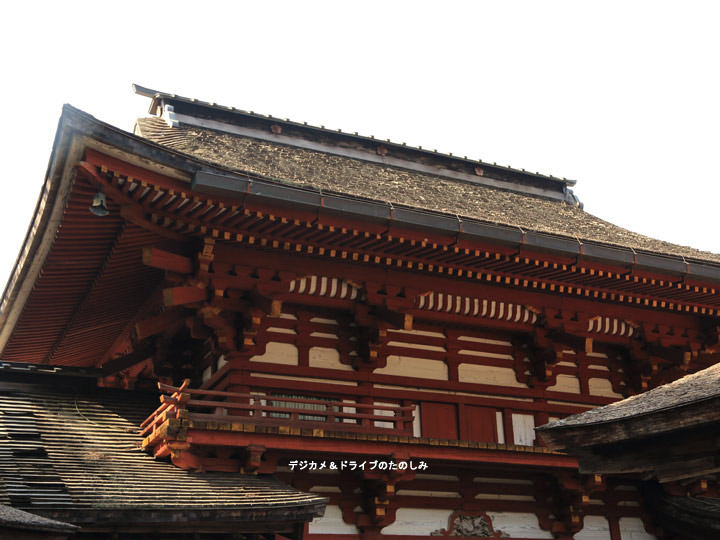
[669,434]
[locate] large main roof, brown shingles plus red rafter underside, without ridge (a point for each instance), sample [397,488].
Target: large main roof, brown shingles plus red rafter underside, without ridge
[80,283]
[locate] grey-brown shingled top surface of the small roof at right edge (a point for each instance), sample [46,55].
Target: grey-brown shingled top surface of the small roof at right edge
[694,388]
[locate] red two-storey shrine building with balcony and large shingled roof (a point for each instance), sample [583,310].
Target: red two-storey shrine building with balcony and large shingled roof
[311,301]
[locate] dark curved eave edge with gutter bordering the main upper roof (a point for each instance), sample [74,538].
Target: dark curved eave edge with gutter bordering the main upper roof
[78,130]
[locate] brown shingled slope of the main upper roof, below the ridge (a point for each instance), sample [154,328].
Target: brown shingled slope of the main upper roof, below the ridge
[364,179]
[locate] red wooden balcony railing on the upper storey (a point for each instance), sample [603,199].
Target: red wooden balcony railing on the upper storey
[277,409]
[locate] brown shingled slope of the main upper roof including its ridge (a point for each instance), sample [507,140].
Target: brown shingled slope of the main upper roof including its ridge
[515,200]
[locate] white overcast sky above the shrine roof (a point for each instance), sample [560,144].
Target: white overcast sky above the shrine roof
[621,96]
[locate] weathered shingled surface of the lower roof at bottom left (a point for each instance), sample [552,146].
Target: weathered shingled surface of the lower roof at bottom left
[64,451]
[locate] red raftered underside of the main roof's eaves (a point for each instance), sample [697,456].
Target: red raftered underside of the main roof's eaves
[100,276]
